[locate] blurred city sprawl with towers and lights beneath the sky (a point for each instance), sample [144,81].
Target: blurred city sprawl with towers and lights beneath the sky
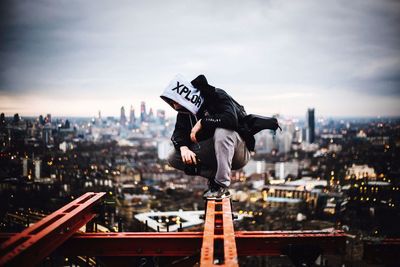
[318,173]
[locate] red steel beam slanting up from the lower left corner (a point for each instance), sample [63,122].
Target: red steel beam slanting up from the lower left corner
[36,242]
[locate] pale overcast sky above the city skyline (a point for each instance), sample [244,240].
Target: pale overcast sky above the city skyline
[77,57]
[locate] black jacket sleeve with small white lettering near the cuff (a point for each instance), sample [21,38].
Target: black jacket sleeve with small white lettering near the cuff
[226,116]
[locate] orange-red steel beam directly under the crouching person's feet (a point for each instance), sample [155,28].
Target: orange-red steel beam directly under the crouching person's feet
[219,245]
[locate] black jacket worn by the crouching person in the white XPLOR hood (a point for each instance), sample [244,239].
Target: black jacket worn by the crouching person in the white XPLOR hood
[219,110]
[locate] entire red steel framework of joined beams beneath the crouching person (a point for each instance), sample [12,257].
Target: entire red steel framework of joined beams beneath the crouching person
[218,244]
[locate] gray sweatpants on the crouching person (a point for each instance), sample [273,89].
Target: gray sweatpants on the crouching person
[219,155]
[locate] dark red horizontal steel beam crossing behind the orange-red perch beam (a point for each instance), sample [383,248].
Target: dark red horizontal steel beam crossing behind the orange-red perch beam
[265,243]
